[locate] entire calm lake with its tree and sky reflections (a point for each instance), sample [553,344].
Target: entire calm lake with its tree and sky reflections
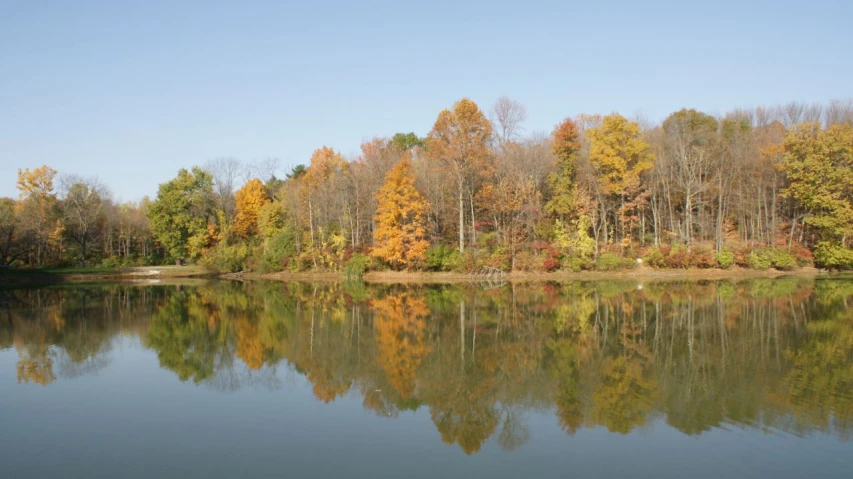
[586,379]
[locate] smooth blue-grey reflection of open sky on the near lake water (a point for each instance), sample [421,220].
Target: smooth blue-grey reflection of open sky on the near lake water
[121,415]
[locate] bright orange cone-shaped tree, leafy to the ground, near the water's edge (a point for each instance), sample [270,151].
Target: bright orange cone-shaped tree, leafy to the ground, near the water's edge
[400,209]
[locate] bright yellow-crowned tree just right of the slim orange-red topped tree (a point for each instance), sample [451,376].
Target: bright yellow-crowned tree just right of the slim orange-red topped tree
[619,156]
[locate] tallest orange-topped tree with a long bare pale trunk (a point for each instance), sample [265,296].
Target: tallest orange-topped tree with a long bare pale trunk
[459,140]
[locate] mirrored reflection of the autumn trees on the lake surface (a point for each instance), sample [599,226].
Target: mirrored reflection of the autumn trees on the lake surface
[765,353]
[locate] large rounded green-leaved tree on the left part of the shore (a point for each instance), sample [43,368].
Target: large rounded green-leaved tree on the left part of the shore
[179,216]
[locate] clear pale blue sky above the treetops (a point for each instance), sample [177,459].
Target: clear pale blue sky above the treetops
[130,92]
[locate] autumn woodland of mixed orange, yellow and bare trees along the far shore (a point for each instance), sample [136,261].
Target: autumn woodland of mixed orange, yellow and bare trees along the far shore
[768,187]
